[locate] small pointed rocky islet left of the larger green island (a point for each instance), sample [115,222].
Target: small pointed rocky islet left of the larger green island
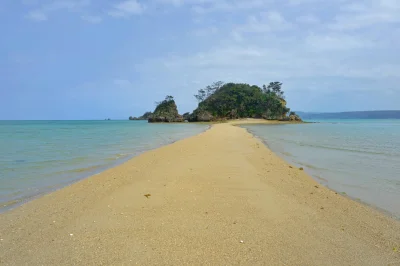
[166,111]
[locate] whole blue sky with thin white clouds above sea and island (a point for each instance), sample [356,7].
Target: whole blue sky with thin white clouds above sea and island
[86,59]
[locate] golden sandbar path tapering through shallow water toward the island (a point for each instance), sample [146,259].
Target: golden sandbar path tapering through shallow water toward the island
[218,198]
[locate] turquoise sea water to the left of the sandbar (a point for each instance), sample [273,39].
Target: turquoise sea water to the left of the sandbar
[40,156]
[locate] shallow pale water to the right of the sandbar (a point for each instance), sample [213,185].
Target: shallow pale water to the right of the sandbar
[360,158]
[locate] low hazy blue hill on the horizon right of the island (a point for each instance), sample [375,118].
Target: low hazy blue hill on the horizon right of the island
[390,114]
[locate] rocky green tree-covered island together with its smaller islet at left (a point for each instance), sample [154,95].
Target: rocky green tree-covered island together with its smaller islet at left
[221,101]
